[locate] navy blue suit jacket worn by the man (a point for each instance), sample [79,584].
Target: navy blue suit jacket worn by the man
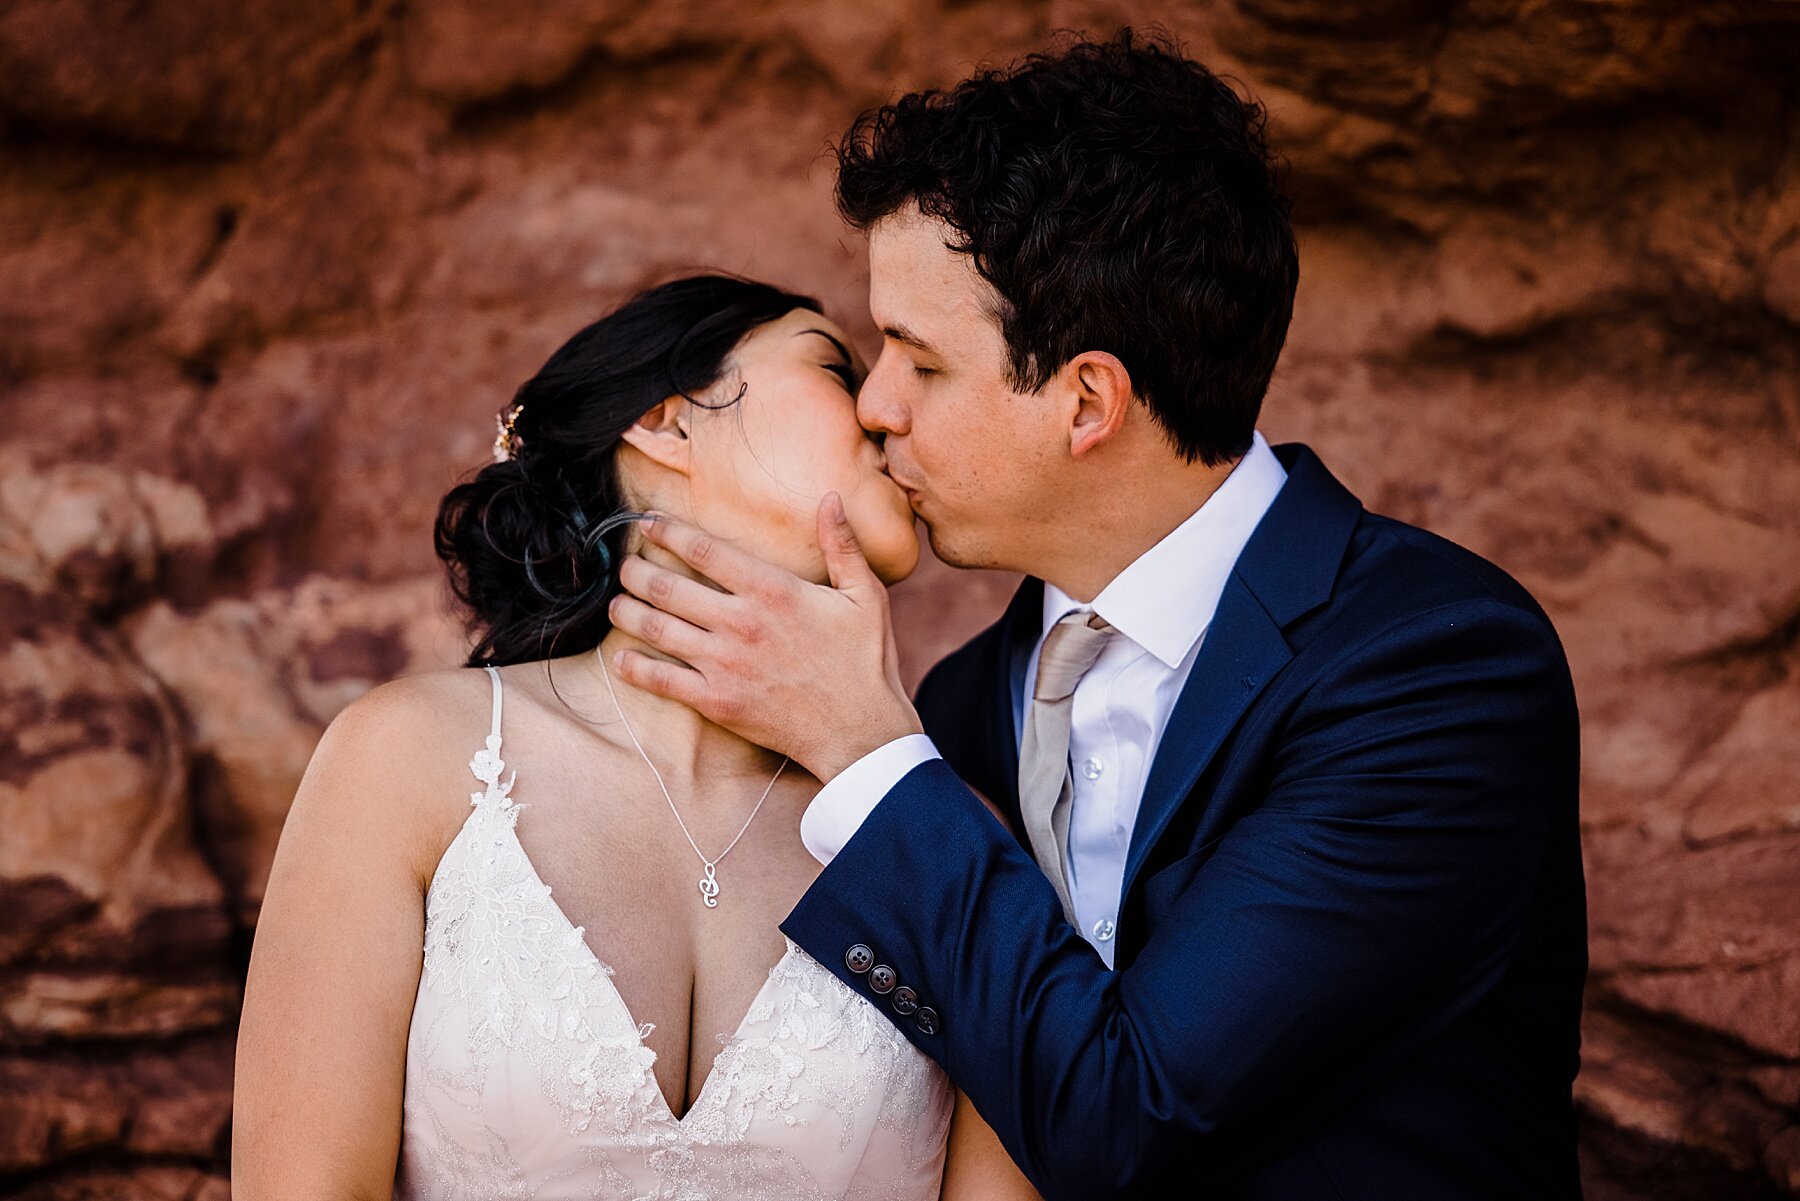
[1353,935]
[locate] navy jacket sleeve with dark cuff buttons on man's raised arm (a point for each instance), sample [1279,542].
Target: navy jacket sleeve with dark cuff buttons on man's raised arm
[1371,899]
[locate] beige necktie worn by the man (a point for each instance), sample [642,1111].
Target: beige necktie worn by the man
[1045,784]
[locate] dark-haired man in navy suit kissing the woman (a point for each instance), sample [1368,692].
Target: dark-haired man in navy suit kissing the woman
[1291,905]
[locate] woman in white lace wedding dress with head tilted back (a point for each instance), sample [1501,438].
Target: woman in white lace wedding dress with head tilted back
[521,935]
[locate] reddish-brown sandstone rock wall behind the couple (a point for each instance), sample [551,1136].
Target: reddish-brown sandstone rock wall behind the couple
[267,271]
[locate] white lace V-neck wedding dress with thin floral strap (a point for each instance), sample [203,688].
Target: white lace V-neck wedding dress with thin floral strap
[528,1078]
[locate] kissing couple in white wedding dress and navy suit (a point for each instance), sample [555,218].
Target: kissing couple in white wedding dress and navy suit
[1237,860]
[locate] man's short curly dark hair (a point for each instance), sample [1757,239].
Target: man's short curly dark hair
[1119,197]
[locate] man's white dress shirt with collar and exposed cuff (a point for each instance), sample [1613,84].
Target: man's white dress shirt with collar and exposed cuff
[1162,606]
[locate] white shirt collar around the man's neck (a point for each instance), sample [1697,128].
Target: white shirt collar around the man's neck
[1167,597]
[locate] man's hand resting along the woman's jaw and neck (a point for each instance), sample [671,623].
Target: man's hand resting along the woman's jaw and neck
[804,669]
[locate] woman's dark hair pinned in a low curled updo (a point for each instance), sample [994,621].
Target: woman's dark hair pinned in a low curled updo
[532,543]
